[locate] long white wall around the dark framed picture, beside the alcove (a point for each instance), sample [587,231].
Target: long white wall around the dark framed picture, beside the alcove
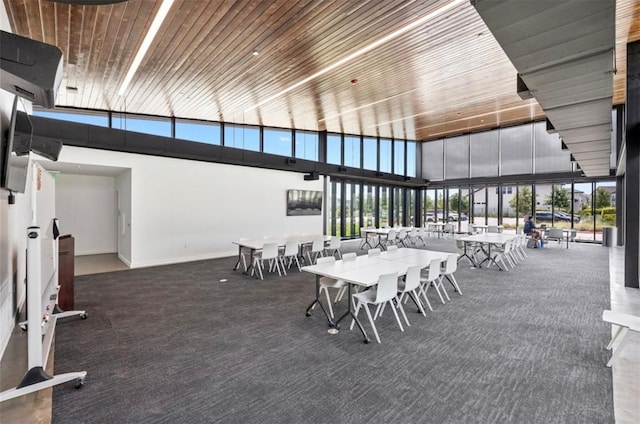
[187,210]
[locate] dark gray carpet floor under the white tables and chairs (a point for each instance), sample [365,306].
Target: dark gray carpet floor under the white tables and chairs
[174,344]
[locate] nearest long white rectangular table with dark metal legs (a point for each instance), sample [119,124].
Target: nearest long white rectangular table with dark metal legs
[365,271]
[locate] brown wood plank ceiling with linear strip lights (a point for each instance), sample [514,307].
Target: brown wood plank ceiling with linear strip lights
[446,76]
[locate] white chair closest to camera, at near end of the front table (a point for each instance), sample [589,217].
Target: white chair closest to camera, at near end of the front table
[386,291]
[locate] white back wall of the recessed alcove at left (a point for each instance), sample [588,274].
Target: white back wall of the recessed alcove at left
[86,208]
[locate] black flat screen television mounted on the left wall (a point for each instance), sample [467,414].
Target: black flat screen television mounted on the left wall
[14,159]
